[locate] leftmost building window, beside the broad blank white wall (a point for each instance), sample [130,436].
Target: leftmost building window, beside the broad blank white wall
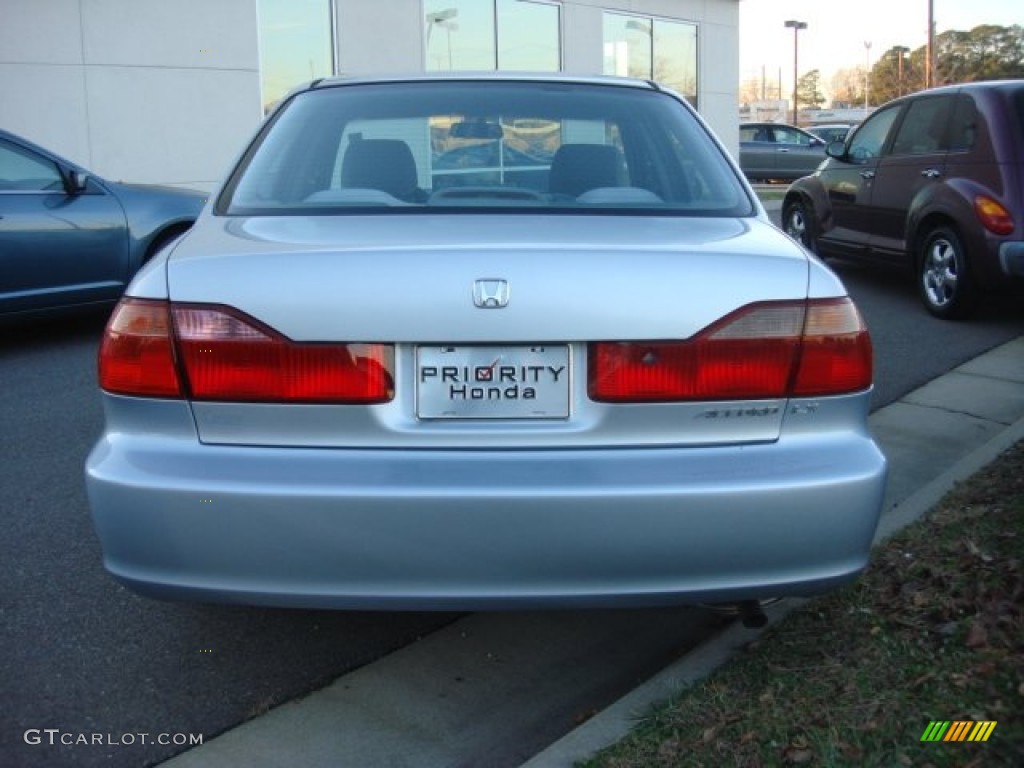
[296,41]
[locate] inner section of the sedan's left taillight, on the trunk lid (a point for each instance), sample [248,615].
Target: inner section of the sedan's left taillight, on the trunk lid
[229,357]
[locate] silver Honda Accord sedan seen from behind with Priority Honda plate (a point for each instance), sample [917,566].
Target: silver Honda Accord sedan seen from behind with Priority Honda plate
[485,343]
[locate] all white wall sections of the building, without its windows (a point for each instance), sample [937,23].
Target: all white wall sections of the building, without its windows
[169,91]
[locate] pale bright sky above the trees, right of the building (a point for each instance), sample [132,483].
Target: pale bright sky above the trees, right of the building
[837,31]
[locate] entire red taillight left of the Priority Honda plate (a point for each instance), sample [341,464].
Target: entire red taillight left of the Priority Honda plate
[226,356]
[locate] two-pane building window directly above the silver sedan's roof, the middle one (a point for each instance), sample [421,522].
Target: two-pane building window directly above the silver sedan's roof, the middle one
[522,35]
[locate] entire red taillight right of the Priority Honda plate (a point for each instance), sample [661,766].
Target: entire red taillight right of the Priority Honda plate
[761,352]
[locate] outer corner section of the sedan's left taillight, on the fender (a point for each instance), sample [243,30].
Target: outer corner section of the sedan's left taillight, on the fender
[137,356]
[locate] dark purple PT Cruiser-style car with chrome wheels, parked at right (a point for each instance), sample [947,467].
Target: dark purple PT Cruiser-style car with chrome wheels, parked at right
[935,182]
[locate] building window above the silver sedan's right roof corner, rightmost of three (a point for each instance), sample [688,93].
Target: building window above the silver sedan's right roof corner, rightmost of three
[654,50]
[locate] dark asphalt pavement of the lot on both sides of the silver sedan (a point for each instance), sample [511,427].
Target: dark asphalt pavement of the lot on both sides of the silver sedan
[84,656]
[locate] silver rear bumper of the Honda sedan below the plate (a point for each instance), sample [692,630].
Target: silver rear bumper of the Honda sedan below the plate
[484,530]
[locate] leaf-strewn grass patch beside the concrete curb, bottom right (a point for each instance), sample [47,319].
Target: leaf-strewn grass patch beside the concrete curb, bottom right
[934,630]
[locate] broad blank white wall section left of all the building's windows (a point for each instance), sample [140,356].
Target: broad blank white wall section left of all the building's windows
[144,91]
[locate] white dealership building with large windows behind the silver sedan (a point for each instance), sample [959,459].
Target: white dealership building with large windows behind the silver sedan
[169,92]
